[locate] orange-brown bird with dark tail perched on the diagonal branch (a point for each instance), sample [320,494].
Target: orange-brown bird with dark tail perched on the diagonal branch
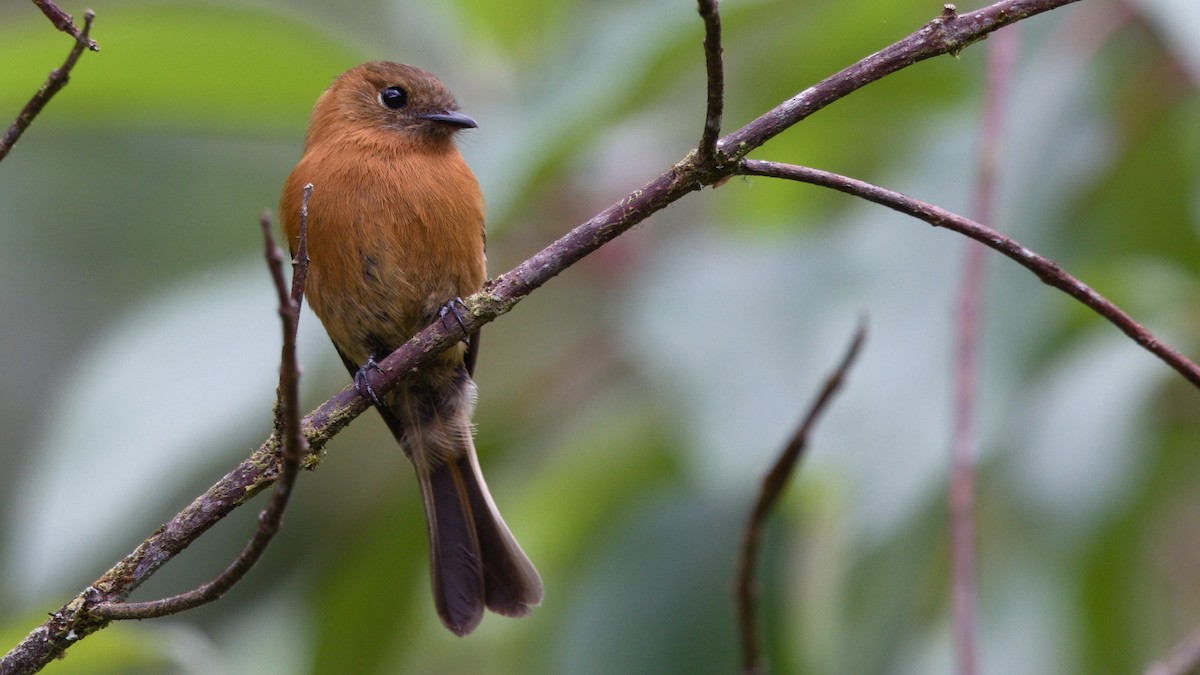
[395,235]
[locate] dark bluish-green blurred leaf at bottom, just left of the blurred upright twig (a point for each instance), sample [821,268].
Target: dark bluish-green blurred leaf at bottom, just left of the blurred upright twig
[665,572]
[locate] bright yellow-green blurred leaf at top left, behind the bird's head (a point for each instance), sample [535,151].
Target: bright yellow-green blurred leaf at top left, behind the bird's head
[183,65]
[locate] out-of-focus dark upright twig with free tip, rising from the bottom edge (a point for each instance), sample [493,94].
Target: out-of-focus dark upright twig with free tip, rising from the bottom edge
[773,485]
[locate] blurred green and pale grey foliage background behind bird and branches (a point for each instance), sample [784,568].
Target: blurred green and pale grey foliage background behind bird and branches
[627,409]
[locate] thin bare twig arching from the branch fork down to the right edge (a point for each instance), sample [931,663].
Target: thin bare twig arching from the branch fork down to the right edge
[1043,267]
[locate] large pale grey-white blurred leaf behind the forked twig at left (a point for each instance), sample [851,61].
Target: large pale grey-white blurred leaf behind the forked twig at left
[166,391]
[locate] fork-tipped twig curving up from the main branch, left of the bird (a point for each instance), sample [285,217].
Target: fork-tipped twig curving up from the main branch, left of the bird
[292,453]
